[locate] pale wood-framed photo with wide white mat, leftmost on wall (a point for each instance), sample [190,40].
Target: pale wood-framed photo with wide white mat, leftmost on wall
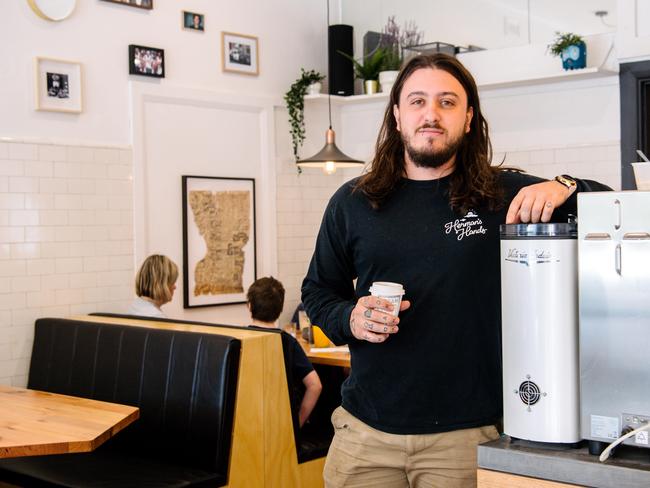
[58,85]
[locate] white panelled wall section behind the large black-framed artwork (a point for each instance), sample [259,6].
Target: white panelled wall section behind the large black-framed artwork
[200,133]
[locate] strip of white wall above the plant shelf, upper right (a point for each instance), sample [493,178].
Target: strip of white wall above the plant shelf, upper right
[490,24]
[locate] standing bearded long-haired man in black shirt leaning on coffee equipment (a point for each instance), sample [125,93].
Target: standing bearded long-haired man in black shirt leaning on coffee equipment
[425,387]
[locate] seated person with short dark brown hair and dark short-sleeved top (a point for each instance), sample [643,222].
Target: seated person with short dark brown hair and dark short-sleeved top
[265,299]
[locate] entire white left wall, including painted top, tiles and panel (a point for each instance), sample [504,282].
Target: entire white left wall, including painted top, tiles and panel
[69,183]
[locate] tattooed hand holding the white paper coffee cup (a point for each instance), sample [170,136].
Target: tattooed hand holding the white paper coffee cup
[367,323]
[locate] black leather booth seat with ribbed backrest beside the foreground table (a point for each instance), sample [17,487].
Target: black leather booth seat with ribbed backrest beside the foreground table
[183,382]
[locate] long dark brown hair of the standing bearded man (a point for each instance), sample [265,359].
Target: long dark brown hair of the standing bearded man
[473,182]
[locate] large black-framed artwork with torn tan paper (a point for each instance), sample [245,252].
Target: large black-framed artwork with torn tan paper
[219,251]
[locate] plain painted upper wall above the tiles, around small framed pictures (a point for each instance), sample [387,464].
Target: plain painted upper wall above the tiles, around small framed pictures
[290,32]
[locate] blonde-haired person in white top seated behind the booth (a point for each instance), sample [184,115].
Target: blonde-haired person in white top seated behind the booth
[154,284]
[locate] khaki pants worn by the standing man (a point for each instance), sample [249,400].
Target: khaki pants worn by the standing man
[361,456]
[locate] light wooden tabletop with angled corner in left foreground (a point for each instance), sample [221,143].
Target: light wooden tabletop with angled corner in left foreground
[33,423]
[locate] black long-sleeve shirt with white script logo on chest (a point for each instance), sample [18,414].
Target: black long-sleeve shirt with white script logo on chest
[442,370]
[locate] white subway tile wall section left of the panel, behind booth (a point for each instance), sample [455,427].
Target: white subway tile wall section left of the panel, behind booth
[66,240]
